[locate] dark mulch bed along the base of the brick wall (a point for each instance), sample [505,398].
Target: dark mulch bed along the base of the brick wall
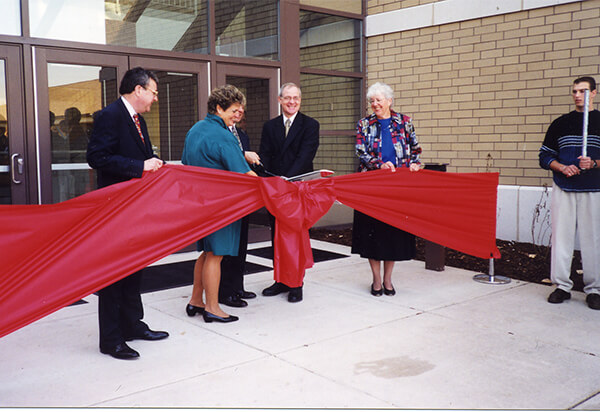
[523,261]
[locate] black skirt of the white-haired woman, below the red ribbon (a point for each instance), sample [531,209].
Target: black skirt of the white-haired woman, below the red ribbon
[373,239]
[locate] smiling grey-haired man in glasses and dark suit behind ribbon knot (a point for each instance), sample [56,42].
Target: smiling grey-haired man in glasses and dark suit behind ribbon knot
[288,146]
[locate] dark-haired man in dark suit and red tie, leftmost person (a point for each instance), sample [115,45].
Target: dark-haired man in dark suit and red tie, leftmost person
[119,150]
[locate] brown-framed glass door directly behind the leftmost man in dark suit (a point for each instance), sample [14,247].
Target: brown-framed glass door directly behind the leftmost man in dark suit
[71,86]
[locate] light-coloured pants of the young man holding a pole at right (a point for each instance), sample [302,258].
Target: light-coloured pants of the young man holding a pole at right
[571,212]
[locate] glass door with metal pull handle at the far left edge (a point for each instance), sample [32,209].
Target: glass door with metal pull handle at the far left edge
[13,156]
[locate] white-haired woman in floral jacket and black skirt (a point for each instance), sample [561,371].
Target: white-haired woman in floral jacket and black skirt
[384,140]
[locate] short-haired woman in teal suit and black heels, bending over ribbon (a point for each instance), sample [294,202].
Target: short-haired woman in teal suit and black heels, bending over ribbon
[209,143]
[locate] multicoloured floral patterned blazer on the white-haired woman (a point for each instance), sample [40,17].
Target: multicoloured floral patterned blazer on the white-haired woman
[368,142]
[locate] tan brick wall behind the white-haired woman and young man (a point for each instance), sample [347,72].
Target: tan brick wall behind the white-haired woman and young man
[483,92]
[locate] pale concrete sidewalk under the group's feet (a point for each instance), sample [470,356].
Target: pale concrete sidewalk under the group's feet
[443,341]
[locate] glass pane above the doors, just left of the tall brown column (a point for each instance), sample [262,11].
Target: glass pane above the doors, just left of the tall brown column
[247,28]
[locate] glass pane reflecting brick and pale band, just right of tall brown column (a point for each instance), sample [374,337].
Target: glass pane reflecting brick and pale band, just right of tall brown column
[330,42]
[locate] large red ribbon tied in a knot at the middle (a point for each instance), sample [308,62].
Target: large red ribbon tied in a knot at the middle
[54,255]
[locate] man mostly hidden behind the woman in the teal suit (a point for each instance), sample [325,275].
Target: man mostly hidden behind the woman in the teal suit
[231,288]
